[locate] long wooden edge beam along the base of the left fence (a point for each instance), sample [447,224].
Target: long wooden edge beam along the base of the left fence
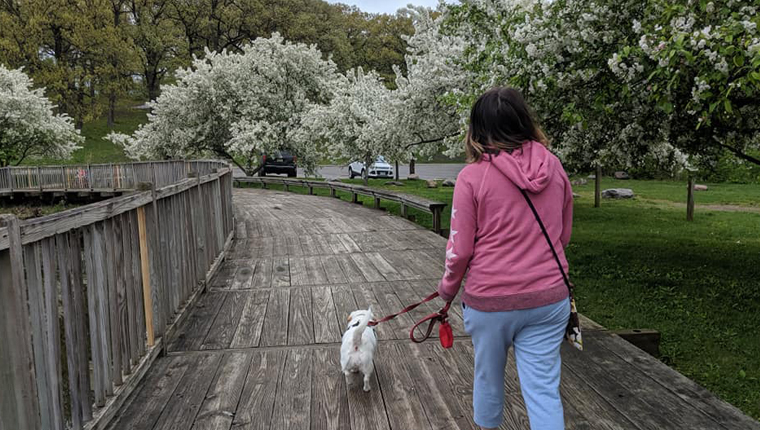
[101,420]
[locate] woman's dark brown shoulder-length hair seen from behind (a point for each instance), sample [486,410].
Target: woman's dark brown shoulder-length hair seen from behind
[500,121]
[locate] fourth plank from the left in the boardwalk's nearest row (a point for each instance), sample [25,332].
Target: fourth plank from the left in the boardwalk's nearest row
[257,401]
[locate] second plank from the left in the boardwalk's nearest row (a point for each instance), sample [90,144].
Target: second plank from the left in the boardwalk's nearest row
[187,398]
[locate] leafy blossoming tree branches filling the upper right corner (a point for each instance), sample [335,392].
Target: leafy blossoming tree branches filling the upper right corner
[700,66]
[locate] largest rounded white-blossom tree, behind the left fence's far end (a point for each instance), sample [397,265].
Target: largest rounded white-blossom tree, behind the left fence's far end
[239,106]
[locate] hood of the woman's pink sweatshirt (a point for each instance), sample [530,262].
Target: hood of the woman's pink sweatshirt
[531,167]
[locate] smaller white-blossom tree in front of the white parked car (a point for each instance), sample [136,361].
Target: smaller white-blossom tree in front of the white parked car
[357,124]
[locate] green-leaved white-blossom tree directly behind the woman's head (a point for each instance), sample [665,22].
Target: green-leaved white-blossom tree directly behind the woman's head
[557,53]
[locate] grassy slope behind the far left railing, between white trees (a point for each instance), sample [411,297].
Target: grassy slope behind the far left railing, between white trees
[96,149]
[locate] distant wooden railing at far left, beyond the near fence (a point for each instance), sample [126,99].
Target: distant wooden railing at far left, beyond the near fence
[99,177]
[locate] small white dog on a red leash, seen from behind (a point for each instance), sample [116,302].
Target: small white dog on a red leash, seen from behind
[358,346]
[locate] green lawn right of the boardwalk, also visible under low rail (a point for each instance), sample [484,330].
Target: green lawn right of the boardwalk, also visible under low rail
[638,265]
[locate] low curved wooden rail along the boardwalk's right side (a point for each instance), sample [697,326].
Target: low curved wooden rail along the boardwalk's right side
[406,201]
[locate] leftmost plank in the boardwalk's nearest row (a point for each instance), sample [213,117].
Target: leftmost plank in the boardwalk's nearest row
[156,391]
